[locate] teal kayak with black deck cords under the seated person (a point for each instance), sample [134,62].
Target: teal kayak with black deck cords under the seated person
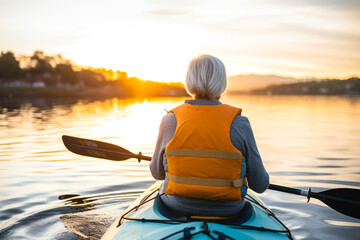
[148,218]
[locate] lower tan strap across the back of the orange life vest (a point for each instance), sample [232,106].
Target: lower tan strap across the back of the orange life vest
[237,183]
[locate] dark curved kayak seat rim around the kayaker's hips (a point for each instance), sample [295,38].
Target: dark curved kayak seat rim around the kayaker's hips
[243,216]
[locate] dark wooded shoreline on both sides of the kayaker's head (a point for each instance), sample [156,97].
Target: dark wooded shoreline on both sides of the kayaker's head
[53,76]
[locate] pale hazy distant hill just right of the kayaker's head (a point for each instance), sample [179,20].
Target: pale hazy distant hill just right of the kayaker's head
[252,81]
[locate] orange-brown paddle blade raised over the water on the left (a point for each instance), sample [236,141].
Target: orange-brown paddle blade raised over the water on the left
[98,149]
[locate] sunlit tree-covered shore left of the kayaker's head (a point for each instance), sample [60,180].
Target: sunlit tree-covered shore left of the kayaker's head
[54,74]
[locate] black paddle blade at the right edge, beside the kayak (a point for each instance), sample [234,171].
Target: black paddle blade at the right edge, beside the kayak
[343,200]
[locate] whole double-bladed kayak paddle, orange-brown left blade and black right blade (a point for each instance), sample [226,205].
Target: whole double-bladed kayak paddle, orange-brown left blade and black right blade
[343,200]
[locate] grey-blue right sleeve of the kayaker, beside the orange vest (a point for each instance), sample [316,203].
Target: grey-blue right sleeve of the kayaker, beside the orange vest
[242,137]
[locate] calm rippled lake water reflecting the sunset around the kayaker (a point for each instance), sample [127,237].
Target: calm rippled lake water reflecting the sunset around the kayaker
[304,141]
